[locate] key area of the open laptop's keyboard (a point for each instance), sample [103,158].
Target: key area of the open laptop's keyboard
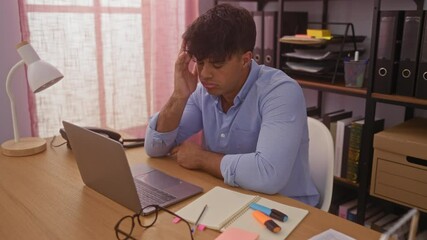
[149,195]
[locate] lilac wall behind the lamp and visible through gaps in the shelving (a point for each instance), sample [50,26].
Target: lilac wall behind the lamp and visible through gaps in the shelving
[10,29]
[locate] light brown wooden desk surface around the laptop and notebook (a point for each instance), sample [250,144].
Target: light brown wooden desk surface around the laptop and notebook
[43,197]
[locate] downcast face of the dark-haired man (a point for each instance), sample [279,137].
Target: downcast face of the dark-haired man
[224,78]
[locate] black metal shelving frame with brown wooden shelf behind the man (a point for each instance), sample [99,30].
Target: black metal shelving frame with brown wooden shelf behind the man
[371,99]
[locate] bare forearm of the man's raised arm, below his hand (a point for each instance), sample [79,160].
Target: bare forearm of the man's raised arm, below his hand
[170,115]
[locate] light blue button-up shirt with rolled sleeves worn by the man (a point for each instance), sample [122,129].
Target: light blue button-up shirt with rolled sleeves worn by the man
[264,135]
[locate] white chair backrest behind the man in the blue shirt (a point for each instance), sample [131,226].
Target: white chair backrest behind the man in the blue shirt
[321,160]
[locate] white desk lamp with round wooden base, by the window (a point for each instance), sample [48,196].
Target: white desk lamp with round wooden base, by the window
[41,75]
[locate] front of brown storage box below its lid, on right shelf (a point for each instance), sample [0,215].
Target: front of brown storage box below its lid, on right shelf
[397,180]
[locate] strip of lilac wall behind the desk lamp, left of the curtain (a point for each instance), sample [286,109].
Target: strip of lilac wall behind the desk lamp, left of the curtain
[10,37]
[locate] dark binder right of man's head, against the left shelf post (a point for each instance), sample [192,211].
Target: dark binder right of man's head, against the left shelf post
[269,28]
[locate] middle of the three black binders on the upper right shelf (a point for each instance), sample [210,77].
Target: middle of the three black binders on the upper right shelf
[409,53]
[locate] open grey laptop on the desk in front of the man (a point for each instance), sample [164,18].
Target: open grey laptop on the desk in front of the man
[104,168]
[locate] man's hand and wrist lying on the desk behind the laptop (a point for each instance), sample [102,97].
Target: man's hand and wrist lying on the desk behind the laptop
[192,156]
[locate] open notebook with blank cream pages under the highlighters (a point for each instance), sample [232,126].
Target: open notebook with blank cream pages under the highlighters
[227,208]
